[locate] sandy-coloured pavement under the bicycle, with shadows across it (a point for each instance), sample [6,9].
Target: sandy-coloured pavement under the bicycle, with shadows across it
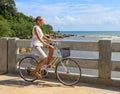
[13,84]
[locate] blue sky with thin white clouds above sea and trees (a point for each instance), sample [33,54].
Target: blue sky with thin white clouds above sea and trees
[74,15]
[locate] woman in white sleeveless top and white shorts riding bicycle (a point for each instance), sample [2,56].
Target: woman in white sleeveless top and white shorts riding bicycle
[38,43]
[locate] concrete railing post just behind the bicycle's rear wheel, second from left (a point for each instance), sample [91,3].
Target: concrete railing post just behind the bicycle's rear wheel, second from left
[12,55]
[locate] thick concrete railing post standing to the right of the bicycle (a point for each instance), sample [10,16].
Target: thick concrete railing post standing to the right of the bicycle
[104,65]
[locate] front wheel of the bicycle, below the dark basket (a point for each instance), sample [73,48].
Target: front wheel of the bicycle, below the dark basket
[68,72]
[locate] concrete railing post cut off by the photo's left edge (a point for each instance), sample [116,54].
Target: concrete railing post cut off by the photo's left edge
[3,55]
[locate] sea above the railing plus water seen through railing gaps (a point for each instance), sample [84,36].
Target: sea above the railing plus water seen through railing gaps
[93,36]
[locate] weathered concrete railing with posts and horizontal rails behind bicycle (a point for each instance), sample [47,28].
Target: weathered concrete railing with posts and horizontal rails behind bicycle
[9,54]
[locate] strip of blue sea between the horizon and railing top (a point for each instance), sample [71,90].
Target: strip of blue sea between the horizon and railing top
[92,35]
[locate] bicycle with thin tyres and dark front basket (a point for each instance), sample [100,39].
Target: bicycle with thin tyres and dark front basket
[67,70]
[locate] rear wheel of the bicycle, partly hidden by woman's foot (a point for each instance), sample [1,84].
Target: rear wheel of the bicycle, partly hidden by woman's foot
[26,68]
